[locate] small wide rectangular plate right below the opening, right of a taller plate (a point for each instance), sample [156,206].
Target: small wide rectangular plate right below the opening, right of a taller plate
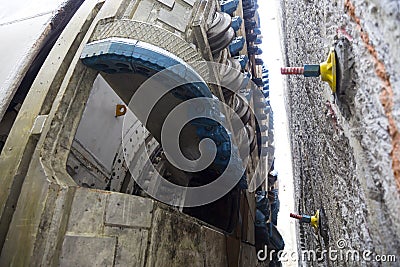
[128,211]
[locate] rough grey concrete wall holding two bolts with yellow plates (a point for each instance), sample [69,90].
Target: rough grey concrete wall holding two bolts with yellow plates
[347,164]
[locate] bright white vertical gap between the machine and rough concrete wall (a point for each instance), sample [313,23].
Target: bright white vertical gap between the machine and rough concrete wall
[272,56]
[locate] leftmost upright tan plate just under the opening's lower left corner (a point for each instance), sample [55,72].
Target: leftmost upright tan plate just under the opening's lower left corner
[87,211]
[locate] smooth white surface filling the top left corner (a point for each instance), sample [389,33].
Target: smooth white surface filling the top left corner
[21,25]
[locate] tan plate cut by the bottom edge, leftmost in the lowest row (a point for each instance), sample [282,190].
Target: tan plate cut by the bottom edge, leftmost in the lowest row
[87,251]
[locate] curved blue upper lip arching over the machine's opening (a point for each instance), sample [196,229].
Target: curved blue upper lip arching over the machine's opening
[116,55]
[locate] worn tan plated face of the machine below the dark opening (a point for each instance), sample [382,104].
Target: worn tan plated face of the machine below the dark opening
[125,230]
